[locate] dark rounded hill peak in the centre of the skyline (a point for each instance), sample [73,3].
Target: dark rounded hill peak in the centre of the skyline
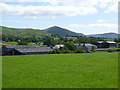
[61,31]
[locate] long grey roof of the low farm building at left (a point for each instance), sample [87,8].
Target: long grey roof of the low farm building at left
[29,48]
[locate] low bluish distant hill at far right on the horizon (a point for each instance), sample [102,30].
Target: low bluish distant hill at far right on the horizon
[105,35]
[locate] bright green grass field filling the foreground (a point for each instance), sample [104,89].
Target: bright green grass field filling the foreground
[93,70]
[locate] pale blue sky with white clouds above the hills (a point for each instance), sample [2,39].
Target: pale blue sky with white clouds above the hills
[81,16]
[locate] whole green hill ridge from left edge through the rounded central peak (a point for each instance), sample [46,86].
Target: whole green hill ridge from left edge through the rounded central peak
[28,32]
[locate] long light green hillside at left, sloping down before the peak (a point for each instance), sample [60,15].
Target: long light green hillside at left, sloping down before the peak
[22,32]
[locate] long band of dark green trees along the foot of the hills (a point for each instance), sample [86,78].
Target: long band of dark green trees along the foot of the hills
[53,39]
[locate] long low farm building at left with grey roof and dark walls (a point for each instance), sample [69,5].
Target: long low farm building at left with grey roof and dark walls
[24,49]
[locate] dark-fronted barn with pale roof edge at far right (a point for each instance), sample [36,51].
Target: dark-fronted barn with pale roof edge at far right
[105,44]
